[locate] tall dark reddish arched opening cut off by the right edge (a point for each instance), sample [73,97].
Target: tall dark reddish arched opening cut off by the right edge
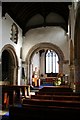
[77,49]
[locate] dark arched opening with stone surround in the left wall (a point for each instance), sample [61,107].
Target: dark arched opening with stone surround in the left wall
[9,65]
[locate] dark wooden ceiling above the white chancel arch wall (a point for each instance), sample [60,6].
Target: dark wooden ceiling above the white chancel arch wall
[22,12]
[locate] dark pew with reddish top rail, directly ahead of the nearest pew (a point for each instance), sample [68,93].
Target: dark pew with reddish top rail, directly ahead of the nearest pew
[63,103]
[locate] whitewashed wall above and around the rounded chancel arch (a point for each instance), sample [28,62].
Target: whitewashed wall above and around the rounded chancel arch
[54,35]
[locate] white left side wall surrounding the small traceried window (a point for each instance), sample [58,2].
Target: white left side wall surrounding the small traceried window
[7,22]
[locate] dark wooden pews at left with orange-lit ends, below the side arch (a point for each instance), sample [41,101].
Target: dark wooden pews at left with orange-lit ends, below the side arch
[12,94]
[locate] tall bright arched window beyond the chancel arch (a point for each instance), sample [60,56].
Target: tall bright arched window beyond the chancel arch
[52,59]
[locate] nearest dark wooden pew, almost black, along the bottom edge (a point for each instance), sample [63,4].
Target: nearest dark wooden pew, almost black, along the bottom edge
[29,111]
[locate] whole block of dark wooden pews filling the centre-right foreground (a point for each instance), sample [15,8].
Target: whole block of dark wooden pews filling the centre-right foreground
[44,105]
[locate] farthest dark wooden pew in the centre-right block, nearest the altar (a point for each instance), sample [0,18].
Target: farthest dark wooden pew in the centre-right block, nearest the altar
[56,90]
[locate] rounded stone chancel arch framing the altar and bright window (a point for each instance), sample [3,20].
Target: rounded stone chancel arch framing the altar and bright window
[39,47]
